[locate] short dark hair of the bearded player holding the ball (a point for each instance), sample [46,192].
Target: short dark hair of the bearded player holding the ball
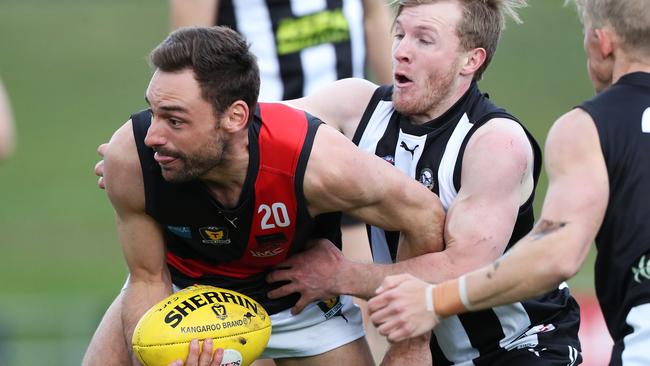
[223,65]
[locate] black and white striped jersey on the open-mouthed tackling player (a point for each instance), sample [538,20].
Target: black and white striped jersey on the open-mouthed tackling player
[432,153]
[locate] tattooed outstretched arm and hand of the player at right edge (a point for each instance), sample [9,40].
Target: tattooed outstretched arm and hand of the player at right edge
[573,211]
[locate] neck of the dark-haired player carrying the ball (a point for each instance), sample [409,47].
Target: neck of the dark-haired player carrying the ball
[226,180]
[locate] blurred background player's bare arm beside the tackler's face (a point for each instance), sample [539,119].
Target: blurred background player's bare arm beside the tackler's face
[378,42]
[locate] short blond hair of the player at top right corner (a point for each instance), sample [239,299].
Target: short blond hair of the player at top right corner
[630,19]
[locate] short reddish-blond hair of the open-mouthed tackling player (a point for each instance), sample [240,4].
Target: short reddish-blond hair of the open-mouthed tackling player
[481,25]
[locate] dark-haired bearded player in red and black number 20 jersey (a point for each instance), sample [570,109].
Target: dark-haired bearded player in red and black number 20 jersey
[211,187]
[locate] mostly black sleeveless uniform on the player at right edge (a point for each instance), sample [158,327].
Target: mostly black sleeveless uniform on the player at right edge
[622,117]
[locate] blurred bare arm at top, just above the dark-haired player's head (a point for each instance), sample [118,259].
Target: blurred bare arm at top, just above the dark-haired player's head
[193,12]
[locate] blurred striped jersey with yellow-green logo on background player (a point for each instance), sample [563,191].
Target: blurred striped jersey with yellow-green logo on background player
[300,45]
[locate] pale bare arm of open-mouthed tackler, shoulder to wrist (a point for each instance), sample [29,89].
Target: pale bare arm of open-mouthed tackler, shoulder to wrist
[496,179]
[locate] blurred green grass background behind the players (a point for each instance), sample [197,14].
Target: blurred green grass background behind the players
[75,70]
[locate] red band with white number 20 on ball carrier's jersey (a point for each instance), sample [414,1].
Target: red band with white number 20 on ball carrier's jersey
[282,135]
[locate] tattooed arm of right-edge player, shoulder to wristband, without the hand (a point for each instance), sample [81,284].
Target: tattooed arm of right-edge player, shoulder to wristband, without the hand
[574,208]
